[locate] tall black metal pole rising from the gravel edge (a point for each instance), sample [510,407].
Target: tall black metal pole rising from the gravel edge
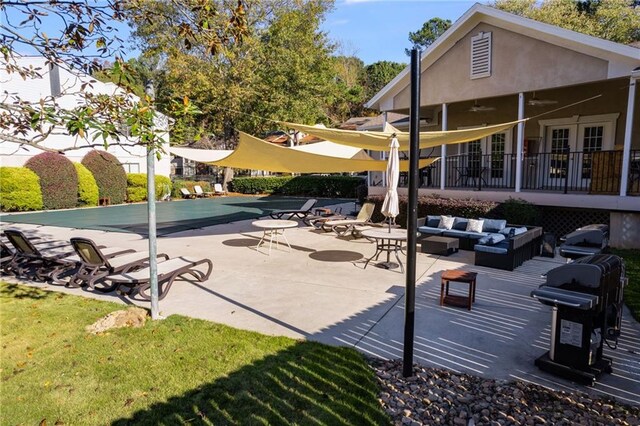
[412,214]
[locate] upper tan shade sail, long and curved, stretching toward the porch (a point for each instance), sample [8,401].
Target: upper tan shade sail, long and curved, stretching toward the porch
[379,141]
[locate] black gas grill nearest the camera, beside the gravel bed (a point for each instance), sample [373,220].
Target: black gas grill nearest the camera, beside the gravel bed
[586,301]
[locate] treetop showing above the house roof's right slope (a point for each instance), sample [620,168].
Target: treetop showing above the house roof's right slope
[615,20]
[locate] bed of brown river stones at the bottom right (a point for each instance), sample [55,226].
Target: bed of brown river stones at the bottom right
[440,397]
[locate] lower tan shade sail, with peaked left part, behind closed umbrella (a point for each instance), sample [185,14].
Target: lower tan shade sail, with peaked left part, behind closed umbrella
[256,154]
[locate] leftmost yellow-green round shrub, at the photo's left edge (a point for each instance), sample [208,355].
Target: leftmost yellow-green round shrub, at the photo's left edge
[19,190]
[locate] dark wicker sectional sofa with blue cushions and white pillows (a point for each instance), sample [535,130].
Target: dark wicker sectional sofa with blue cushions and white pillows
[497,245]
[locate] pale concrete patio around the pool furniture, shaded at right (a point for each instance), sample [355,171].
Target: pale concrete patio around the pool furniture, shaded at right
[320,291]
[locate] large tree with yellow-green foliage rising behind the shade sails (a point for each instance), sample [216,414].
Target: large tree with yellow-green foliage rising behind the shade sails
[283,70]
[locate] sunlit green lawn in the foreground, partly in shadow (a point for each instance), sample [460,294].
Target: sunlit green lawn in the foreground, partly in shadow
[175,371]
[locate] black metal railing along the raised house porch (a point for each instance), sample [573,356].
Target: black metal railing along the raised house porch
[595,172]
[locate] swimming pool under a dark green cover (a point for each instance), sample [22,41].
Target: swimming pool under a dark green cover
[172,216]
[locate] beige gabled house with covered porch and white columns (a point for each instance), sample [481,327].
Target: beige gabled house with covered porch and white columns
[579,148]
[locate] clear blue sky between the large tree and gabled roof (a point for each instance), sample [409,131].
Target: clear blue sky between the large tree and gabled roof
[378,30]
